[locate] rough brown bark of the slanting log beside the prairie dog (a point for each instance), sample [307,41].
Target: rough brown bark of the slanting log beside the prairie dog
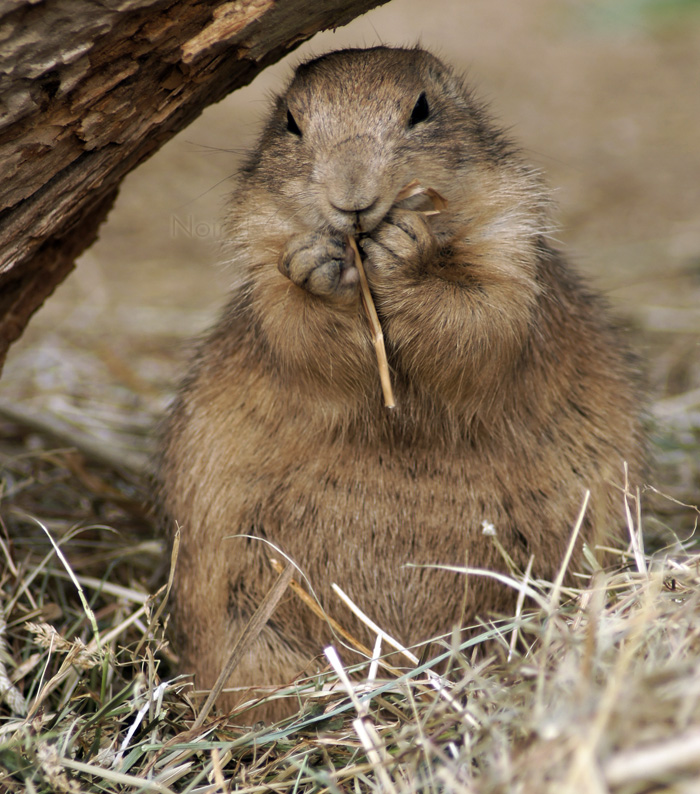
[91,88]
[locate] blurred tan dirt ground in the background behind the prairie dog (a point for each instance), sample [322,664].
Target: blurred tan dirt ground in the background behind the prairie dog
[604,95]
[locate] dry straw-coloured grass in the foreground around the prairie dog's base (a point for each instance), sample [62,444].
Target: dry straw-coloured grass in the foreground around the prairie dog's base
[591,689]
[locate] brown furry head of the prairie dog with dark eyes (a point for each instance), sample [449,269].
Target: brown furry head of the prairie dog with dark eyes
[355,126]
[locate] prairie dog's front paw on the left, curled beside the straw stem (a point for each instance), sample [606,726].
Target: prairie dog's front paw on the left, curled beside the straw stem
[321,264]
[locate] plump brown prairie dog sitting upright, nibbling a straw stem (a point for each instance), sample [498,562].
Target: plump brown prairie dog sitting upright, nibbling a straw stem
[514,393]
